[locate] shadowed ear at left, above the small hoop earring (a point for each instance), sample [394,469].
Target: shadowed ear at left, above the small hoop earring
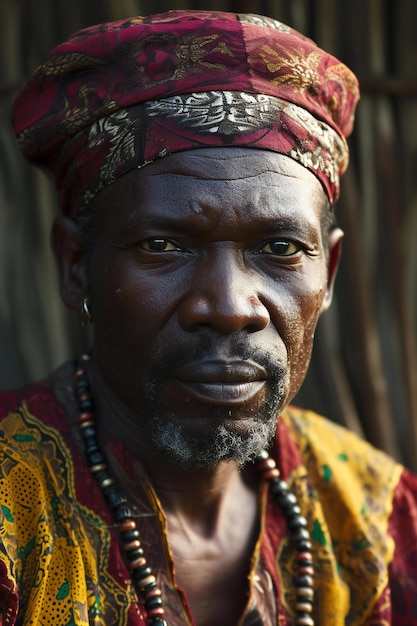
[69,255]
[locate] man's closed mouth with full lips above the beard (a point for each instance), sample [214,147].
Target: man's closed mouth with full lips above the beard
[221,383]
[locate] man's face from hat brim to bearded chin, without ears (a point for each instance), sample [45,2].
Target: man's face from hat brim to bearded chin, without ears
[207,282]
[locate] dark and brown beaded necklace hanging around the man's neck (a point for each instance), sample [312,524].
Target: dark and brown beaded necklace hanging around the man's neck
[143,579]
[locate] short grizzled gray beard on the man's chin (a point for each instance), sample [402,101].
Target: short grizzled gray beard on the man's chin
[224,441]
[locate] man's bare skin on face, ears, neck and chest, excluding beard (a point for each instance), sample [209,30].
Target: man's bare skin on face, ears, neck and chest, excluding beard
[223,247]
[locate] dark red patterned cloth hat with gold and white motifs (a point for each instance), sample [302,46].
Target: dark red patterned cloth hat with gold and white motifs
[117,96]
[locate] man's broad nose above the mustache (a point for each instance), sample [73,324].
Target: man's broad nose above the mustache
[224,294]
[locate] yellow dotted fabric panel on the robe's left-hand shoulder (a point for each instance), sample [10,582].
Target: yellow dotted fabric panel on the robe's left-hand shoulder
[54,549]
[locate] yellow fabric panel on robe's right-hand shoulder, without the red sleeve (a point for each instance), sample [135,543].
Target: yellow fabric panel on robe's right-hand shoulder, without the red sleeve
[346,489]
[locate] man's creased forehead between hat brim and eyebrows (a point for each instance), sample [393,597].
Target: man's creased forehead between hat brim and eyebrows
[240,184]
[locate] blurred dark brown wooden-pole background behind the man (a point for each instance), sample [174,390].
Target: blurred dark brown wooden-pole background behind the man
[364,366]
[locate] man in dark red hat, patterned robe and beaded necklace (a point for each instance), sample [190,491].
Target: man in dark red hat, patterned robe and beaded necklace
[165,479]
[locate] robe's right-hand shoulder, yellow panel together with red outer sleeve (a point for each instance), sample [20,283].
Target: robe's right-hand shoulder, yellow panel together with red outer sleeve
[362,507]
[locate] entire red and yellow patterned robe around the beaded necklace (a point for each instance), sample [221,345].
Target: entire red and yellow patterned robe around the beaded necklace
[60,562]
